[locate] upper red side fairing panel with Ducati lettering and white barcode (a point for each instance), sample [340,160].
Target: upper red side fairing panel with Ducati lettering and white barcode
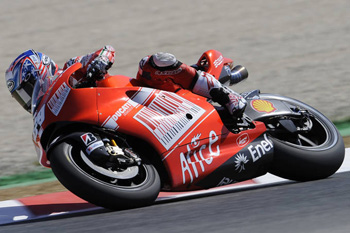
[161,118]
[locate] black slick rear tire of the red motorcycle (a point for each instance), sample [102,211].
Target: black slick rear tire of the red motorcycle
[305,163]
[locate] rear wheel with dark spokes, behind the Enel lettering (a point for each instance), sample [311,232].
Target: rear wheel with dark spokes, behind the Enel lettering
[304,155]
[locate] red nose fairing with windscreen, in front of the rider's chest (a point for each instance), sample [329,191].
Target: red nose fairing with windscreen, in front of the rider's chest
[59,102]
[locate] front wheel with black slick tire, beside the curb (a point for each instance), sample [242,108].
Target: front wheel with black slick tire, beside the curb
[133,187]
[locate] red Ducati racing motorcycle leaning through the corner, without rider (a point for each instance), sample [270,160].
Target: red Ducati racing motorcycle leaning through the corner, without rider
[119,144]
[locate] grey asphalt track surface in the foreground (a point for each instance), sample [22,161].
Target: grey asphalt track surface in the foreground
[317,206]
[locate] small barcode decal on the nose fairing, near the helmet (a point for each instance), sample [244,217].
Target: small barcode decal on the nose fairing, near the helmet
[58,99]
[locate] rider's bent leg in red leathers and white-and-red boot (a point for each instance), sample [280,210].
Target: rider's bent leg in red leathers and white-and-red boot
[164,71]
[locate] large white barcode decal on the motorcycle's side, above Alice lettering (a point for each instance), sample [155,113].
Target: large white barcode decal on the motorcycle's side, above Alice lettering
[168,116]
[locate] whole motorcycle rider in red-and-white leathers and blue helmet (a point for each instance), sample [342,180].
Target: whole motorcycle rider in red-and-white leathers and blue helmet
[161,70]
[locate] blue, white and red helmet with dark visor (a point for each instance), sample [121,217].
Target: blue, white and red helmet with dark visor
[24,71]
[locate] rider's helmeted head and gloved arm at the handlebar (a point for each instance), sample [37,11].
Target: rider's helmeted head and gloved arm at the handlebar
[30,66]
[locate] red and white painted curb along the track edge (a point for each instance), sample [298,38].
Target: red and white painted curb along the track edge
[65,203]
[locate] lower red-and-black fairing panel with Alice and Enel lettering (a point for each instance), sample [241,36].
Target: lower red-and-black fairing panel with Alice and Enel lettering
[218,155]
